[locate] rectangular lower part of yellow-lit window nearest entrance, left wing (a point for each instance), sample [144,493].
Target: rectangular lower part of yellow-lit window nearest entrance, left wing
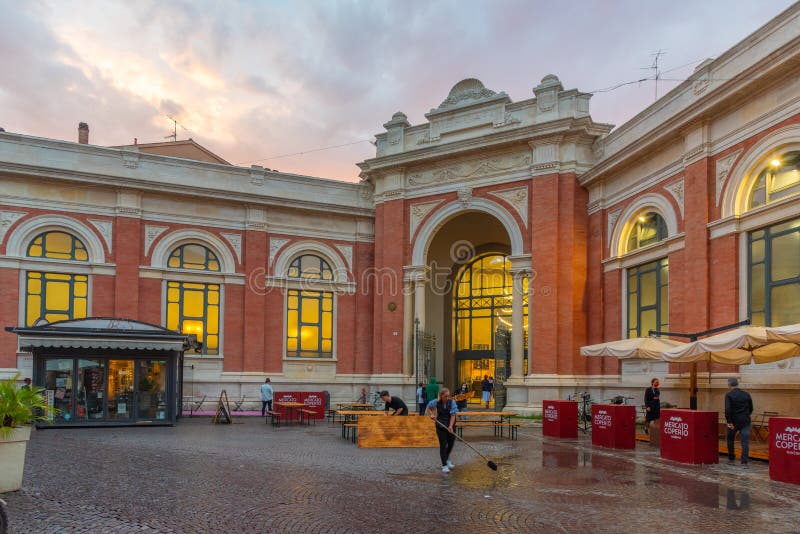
[309,320]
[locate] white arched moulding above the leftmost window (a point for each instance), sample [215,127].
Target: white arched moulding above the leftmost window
[23,234]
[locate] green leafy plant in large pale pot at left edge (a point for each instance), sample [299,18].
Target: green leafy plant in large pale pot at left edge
[19,407]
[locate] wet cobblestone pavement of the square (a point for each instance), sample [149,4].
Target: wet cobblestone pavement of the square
[249,477]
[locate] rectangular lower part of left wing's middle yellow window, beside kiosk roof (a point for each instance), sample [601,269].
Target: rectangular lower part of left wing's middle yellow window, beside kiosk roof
[193,308]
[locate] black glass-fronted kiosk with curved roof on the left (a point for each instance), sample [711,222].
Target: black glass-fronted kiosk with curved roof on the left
[103,371]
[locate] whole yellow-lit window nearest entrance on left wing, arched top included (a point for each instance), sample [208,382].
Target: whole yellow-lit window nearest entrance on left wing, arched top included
[309,313]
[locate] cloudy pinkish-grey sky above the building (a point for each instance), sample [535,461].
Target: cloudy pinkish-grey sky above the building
[256,80]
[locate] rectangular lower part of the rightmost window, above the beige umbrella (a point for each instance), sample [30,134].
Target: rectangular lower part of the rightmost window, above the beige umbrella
[774,274]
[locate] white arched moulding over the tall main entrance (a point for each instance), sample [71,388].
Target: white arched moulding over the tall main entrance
[442,215]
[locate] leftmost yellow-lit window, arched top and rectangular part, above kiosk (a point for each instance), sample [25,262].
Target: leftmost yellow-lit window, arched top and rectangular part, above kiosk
[56,296]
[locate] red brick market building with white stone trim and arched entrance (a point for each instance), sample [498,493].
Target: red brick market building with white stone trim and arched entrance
[496,238]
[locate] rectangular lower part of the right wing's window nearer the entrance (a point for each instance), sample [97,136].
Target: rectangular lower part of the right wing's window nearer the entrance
[648,298]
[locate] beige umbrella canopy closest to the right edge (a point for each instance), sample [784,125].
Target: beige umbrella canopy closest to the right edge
[740,346]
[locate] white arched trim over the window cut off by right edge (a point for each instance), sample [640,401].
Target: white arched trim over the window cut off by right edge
[742,177]
